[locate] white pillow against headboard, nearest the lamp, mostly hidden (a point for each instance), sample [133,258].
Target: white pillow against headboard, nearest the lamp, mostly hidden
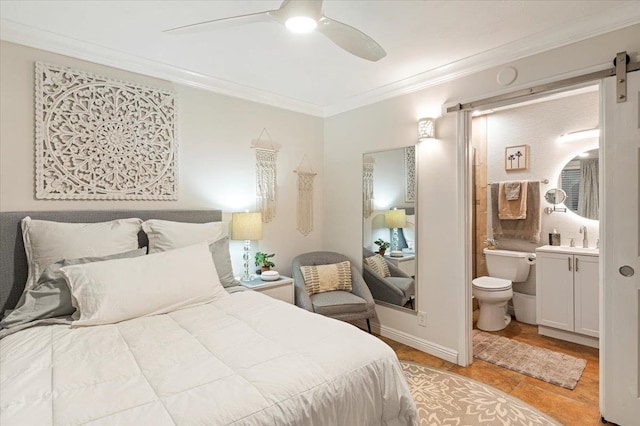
[167,235]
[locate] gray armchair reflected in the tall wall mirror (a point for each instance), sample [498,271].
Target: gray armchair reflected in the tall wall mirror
[398,289]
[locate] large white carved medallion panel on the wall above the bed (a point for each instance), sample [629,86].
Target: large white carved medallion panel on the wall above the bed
[102,139]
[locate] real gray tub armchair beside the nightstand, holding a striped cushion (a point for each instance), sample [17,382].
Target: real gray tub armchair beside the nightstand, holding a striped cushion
[338,304]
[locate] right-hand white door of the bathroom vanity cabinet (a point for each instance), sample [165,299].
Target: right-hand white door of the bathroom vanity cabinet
[587,300]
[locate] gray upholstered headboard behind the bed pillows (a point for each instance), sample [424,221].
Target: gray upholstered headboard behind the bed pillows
[13,260]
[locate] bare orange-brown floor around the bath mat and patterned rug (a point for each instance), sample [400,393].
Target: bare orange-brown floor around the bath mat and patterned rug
[569,407]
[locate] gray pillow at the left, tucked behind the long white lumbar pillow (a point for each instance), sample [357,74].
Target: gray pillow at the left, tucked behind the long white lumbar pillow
[50,297]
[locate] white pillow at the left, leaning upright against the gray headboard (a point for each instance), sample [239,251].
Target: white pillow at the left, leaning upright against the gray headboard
[47,242]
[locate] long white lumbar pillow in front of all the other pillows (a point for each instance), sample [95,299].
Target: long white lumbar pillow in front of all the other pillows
[117,290]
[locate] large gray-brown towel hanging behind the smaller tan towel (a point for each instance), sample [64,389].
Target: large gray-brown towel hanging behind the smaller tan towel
[524,229]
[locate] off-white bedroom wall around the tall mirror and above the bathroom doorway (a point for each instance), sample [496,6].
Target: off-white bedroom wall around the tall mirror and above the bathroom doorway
[393,123]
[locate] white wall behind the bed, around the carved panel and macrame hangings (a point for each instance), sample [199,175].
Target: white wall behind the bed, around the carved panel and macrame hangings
[215,162]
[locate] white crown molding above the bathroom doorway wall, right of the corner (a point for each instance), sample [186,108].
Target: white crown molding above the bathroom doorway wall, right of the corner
[624,16]
